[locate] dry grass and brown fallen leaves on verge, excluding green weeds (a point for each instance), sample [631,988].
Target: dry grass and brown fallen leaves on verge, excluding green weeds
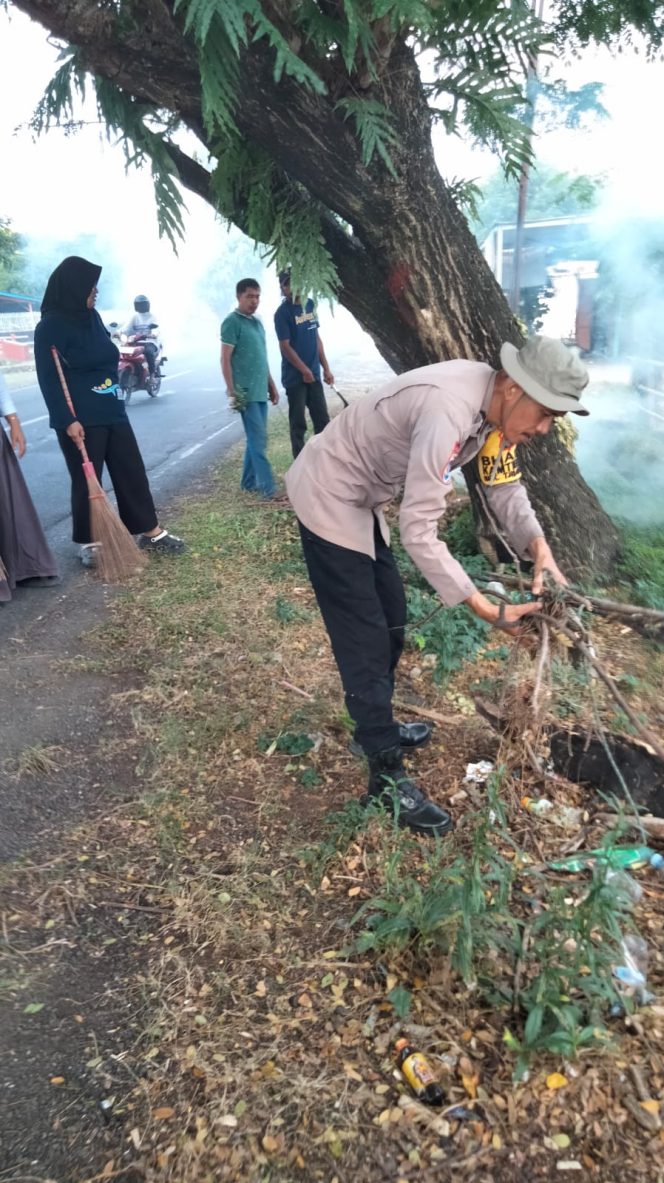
[262,1050]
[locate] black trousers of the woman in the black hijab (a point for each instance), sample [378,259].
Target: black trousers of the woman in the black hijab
[117,448]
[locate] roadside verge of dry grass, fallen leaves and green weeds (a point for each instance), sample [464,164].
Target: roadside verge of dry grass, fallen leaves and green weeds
[282,939]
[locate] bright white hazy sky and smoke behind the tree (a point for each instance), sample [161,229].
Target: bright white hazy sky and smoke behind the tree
[65,188]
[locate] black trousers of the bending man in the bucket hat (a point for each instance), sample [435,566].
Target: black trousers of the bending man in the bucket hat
[364,606]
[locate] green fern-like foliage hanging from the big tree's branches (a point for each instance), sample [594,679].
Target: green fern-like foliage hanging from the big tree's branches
[473,55]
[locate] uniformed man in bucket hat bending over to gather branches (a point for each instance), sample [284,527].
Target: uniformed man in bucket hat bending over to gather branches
[412,434]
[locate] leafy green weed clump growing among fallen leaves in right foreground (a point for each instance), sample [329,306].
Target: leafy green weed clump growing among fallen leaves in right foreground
[540,953]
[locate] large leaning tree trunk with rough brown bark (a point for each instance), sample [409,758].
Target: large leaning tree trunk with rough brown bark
[410,270]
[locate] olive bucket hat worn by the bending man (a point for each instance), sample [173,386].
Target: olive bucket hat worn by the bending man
[549,372]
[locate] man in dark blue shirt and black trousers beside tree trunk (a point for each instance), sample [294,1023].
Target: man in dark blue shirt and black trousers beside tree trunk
[302,359]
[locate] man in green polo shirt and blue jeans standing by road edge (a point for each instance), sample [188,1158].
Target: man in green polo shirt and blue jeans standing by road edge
[244,366]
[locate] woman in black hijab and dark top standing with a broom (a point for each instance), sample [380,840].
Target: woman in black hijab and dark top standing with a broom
[70,324]
